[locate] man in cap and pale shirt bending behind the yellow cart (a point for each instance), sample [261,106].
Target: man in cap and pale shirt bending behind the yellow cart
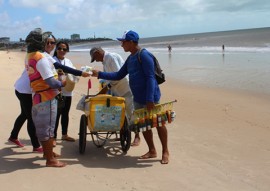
[112,62]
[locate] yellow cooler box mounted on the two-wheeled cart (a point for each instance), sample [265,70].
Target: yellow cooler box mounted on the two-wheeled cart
[106,113]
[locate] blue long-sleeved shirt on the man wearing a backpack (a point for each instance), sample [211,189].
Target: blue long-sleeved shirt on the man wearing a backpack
[142,79]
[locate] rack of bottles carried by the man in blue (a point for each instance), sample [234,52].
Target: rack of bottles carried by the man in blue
[161,115]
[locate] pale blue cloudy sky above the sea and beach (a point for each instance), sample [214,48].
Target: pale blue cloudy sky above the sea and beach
[149,18]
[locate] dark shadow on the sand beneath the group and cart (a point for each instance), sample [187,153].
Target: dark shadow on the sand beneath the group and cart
[110,156]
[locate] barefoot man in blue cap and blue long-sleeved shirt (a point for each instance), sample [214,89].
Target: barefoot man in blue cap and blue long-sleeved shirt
[144,88]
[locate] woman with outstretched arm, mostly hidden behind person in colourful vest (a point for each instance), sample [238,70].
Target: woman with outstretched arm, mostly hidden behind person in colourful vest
[24,94]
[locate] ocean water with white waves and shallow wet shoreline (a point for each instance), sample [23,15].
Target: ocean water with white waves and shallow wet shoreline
[199,59]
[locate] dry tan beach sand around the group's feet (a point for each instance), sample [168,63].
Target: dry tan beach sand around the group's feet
[220,140]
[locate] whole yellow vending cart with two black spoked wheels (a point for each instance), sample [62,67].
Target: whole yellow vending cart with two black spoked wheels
[104,116]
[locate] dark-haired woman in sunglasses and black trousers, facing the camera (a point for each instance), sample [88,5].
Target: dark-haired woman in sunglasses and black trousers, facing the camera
[62,48]
